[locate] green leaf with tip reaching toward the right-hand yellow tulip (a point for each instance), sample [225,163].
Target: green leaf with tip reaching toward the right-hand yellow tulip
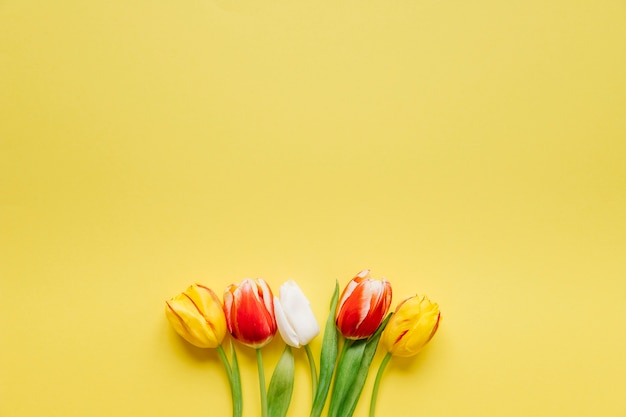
[347,404]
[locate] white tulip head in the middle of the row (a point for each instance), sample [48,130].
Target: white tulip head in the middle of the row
[295,319]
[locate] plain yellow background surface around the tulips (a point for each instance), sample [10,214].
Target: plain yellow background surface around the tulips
[472,151]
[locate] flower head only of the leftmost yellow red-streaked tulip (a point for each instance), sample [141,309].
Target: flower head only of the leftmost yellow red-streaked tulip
[197,316]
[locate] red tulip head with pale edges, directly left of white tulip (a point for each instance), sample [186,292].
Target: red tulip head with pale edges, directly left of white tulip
[249,312]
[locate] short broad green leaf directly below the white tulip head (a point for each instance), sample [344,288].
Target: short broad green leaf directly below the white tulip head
[281,385]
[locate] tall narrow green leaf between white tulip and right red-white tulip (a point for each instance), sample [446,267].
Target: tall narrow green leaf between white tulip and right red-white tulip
[328,357]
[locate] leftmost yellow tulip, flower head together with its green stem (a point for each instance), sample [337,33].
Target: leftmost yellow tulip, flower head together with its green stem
[198,317]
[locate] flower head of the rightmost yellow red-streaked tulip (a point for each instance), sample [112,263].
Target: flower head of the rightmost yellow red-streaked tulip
[412,326]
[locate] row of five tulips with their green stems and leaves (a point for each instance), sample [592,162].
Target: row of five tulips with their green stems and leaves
[252,315]
